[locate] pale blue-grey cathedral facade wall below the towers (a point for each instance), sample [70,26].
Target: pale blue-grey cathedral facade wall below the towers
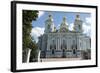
[69,38]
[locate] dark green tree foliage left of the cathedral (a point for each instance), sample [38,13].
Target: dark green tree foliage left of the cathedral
[28,16]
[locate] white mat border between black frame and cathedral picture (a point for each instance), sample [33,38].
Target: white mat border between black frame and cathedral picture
[21,65]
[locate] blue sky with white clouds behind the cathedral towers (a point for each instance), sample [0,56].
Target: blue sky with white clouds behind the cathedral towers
[38,25]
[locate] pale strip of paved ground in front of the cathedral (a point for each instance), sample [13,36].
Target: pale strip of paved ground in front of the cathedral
[59,59]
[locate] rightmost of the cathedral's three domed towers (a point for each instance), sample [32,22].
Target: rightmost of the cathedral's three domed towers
[78,24]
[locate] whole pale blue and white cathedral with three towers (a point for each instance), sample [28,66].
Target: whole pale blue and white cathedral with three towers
[62,42]
